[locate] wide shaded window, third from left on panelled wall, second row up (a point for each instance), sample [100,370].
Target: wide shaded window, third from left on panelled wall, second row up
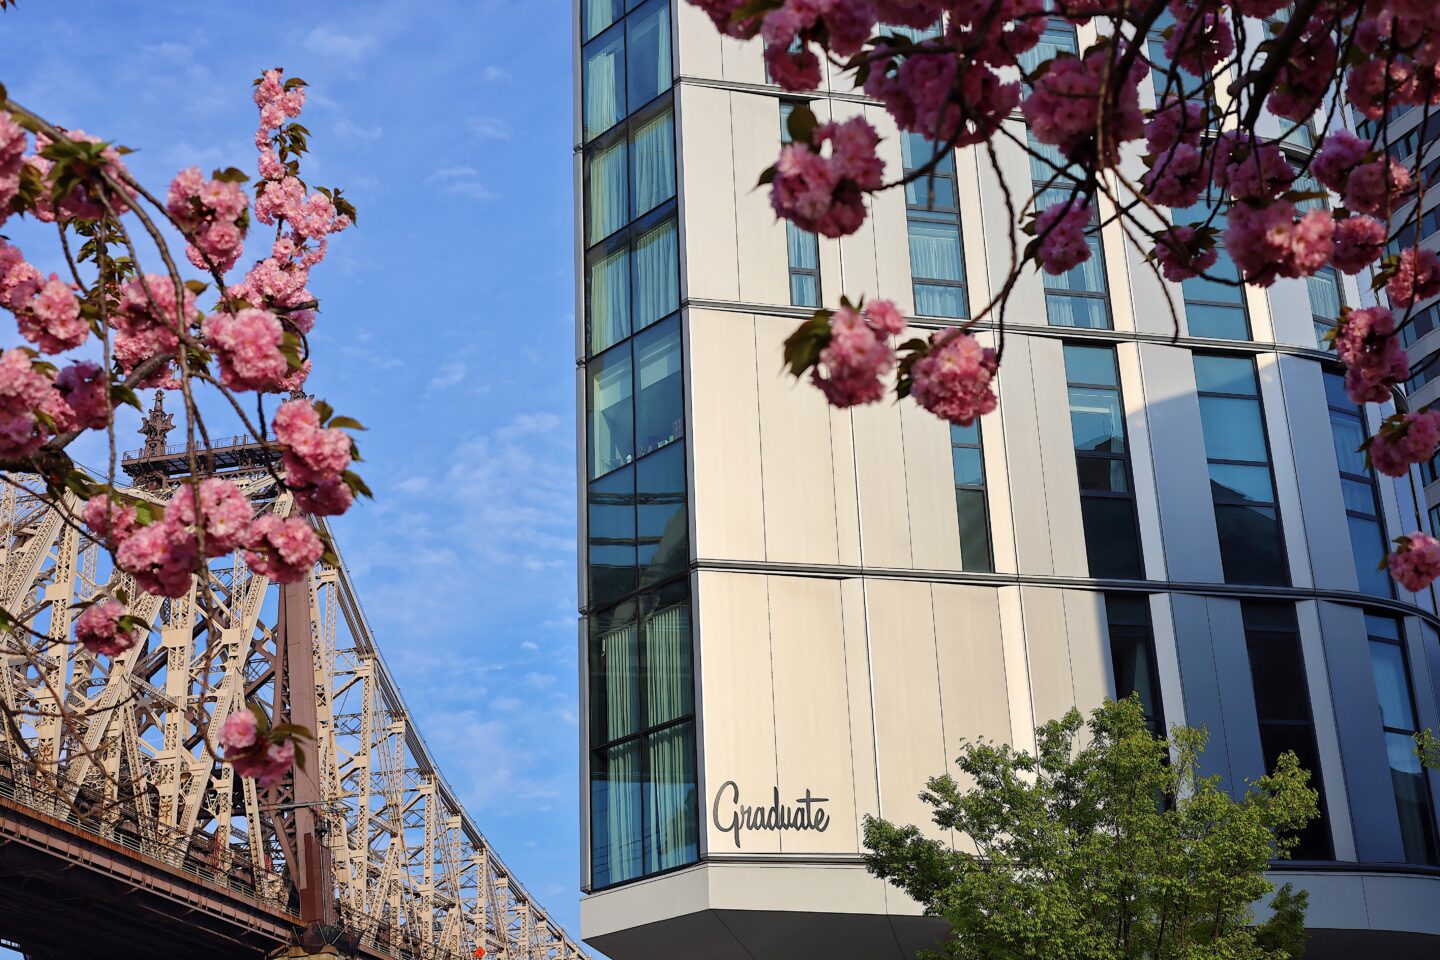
[1242,484]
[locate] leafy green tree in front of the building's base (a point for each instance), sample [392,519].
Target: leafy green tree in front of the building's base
[1102,846]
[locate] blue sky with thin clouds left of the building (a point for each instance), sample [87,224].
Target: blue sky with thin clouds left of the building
[447,330]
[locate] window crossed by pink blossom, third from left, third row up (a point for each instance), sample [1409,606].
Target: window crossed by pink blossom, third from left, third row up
[1079,297]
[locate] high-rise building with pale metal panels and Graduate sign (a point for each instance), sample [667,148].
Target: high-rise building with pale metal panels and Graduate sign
[793,615]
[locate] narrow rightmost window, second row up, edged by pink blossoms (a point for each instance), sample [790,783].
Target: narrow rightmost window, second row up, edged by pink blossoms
[1359,489]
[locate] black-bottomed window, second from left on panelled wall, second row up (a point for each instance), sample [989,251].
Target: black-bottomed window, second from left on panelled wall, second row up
[1112,535]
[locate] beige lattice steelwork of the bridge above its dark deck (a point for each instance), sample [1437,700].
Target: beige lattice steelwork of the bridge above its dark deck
[127,756]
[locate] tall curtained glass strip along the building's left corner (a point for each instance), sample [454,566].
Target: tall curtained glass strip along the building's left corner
[644,815]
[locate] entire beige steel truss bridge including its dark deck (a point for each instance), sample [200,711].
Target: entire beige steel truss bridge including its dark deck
[123,837]
